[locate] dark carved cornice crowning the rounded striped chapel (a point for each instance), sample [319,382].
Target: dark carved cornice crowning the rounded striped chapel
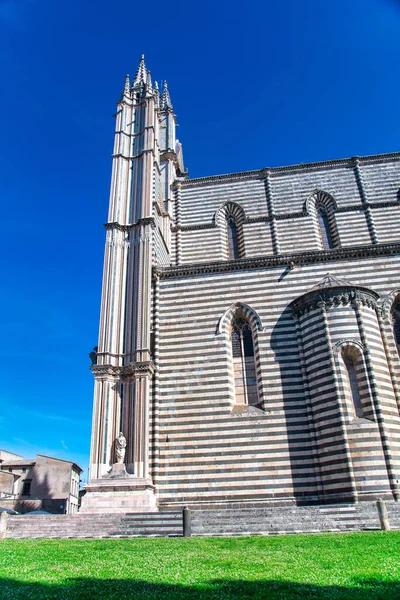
[334,296]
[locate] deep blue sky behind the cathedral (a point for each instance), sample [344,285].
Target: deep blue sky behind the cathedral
[253,85]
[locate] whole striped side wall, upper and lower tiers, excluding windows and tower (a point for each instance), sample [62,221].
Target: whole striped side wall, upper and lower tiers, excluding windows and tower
[303,441]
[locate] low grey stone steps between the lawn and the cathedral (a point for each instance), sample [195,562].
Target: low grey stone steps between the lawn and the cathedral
[264,520]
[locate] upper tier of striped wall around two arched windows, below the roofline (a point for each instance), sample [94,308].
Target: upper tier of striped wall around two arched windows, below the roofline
[366,192]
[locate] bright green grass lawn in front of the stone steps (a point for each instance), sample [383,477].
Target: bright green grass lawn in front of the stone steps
[358,566]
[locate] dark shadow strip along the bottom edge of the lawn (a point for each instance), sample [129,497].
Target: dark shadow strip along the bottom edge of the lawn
[110,589]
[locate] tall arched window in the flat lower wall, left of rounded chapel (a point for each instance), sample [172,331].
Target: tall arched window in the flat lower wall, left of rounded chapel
[244,365]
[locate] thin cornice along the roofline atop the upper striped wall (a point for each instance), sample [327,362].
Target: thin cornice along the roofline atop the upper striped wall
[261,173]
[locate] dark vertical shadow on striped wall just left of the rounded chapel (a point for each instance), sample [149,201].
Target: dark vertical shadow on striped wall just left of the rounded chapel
[284,345]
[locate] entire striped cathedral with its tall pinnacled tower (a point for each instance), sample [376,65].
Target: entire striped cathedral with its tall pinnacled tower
[250,327]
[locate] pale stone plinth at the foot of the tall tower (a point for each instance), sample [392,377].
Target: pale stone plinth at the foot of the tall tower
[119,496]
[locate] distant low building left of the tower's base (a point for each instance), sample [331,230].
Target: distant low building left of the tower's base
[44,482]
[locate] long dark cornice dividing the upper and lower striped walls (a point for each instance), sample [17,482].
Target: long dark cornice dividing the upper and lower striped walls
[315,256]
